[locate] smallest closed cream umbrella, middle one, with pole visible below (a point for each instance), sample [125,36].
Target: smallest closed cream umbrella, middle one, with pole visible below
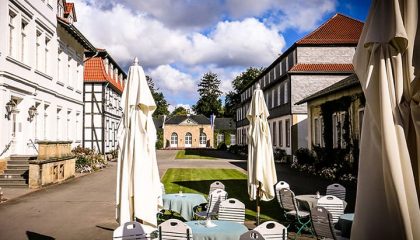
[261,168]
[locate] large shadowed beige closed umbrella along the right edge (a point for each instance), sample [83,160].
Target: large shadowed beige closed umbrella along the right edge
[387,204]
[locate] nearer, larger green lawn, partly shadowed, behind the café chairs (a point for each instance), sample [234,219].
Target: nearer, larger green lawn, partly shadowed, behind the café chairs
[198,180]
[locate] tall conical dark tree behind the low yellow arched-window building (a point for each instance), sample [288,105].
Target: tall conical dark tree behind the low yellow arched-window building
[209,102]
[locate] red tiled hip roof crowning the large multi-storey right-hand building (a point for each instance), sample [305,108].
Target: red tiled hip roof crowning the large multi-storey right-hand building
[339,29]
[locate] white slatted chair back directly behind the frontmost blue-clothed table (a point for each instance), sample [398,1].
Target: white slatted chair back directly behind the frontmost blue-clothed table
[232,209]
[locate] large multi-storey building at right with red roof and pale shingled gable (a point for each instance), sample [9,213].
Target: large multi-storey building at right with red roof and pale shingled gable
[316,61]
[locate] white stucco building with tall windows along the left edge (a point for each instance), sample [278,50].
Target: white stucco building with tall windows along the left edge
[41,75]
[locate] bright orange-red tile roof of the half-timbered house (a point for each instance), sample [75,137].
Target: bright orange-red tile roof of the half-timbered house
[95,72]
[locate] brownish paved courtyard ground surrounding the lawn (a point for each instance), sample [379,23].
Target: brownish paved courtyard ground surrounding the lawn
[83,208]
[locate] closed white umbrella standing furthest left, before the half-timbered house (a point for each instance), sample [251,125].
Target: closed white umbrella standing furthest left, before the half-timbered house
[138,181]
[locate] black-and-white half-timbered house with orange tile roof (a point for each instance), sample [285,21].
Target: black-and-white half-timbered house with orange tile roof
[103,86]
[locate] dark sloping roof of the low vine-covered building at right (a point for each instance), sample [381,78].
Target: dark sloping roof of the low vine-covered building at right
[346,83]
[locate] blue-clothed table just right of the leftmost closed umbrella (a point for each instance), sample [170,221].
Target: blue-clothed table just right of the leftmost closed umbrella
[183,203]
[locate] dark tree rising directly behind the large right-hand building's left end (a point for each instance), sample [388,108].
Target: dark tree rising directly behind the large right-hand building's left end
[233,98]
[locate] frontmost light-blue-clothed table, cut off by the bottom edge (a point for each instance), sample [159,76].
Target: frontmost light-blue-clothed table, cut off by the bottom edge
[223,230]
